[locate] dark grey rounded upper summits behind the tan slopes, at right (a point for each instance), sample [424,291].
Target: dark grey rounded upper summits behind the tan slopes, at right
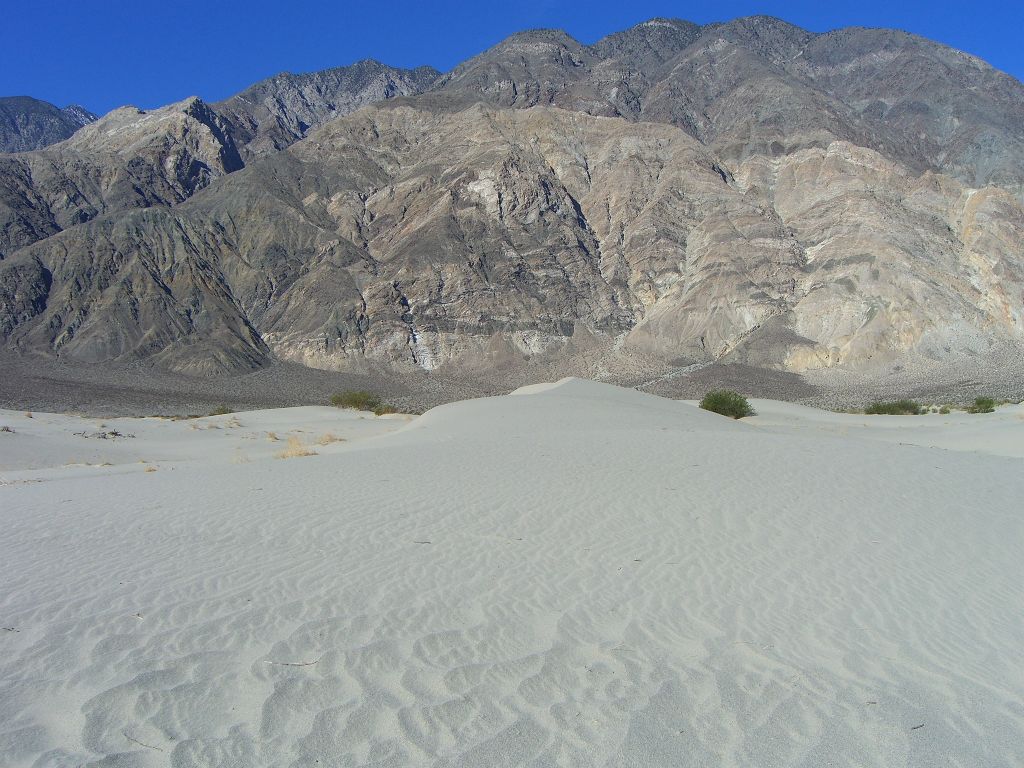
[759,86]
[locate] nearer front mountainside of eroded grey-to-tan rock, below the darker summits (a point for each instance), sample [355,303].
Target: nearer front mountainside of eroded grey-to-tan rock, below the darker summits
[488,237]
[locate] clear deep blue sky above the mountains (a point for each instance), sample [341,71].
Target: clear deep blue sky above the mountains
[106,54]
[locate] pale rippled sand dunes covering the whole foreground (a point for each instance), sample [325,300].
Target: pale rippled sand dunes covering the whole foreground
[576,576]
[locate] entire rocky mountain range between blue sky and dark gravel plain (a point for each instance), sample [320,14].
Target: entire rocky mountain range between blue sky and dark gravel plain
[745,192]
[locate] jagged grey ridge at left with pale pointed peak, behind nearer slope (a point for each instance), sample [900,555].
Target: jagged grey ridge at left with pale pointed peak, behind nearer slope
[135,158]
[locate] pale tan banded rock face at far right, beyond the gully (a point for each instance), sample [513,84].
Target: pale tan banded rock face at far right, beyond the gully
[892,267]
